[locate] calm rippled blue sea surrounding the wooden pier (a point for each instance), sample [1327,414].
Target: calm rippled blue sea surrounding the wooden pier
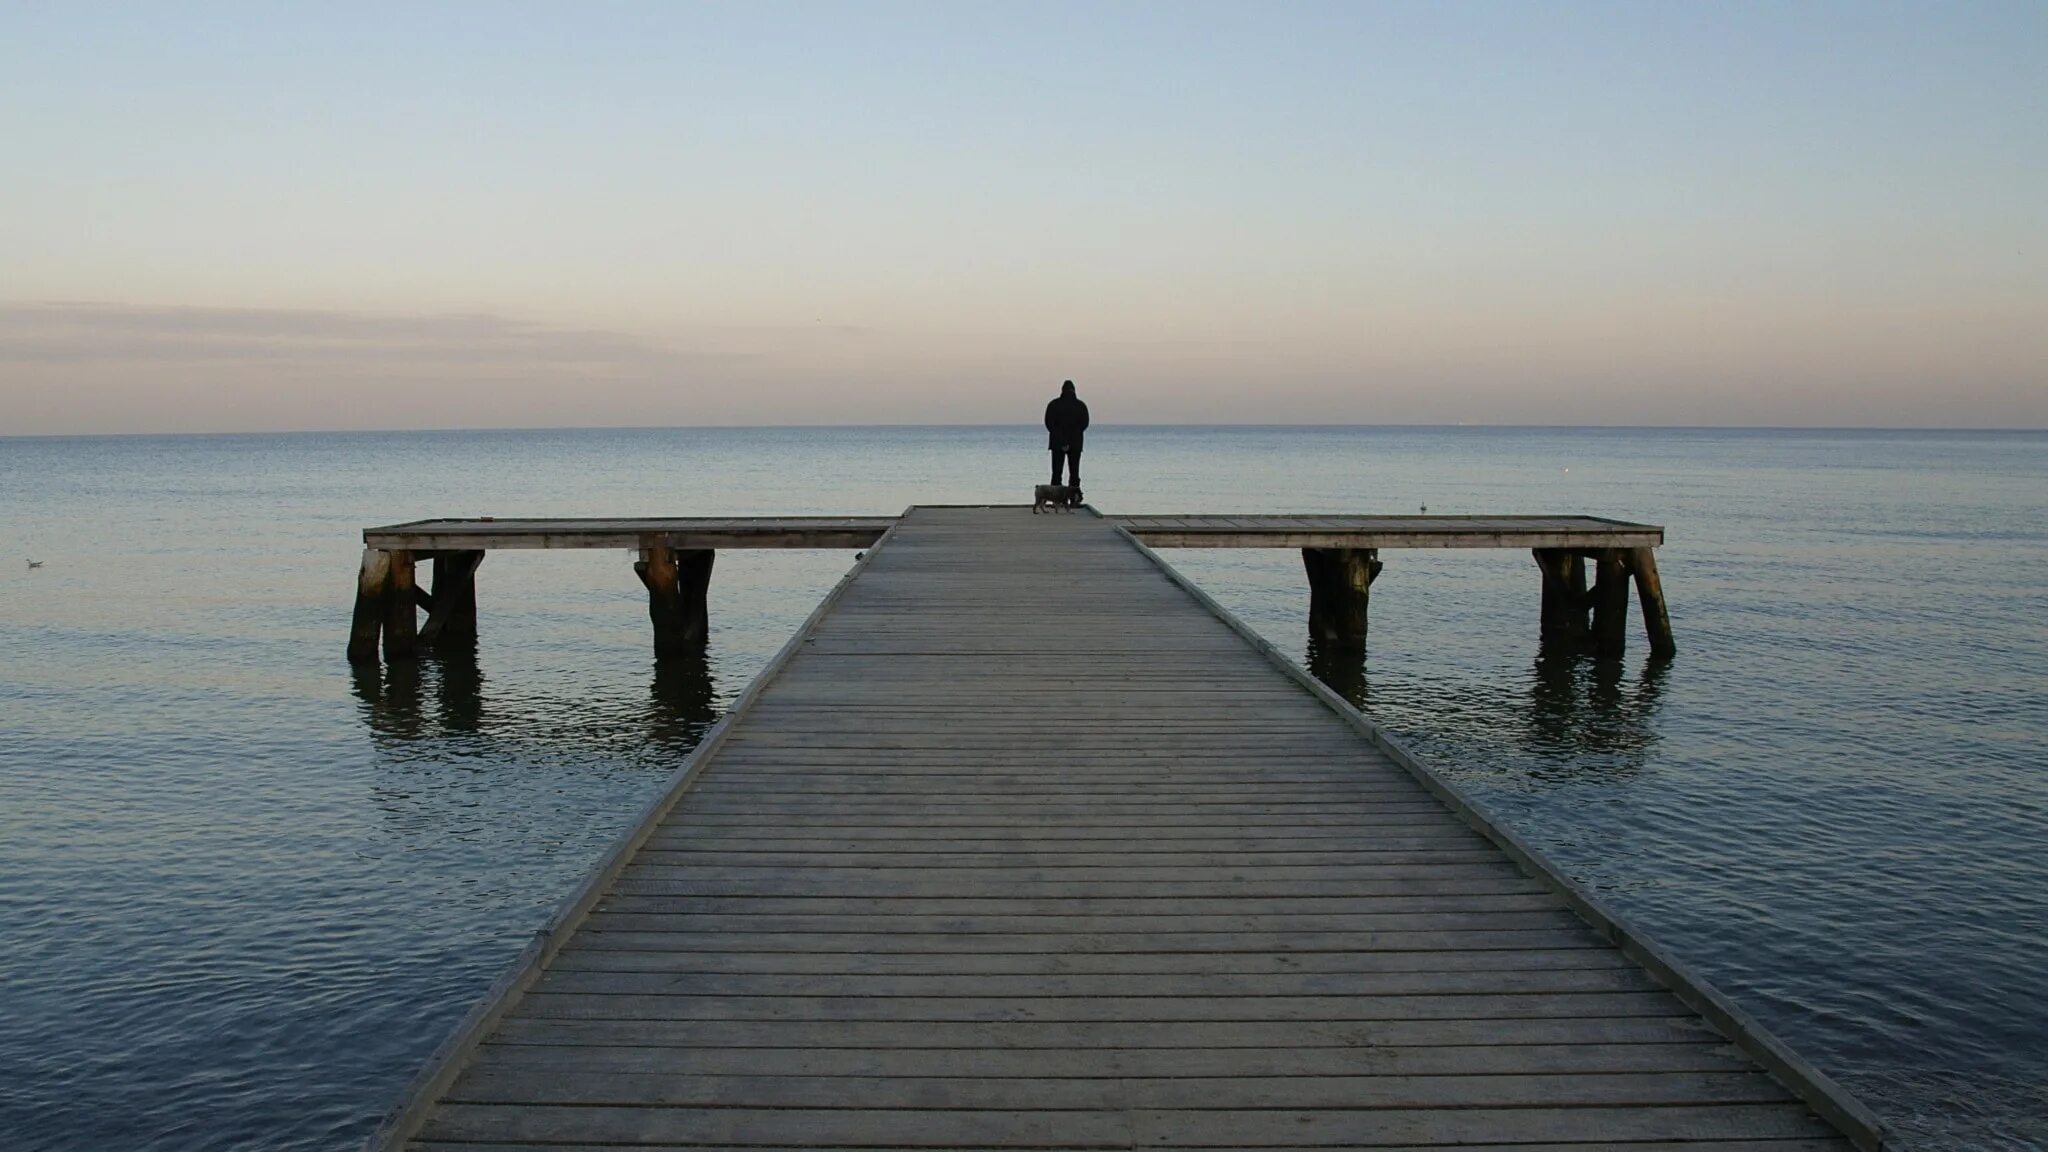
[245,893]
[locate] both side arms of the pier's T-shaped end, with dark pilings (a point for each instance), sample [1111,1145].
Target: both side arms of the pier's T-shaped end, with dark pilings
[1340,554]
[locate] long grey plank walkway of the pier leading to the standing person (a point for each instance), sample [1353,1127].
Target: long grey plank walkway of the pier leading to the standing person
[1025,844]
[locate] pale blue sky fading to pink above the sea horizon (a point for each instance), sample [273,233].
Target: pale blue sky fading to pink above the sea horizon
[439,216]
